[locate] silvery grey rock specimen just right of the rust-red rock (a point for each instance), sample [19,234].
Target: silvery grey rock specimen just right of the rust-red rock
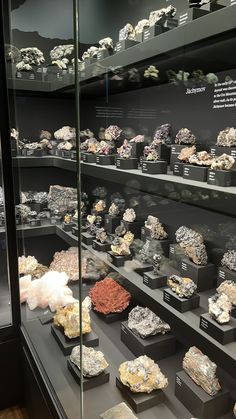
[144,323]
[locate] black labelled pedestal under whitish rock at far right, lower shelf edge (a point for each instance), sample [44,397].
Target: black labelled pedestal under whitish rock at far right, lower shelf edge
[223,333]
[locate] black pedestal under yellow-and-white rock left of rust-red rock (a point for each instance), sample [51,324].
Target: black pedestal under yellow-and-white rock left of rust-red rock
[66,344]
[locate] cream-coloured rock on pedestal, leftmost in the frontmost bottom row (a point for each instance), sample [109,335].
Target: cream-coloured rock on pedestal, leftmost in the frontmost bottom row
[94,362]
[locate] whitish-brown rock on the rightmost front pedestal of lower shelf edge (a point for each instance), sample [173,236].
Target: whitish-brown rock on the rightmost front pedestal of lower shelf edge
[220,308]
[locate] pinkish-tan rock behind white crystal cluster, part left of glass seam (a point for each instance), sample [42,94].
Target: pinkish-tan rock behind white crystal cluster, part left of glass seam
[66,261]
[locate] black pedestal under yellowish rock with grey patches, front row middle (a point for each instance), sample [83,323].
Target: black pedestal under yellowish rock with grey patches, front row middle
[140,401]
